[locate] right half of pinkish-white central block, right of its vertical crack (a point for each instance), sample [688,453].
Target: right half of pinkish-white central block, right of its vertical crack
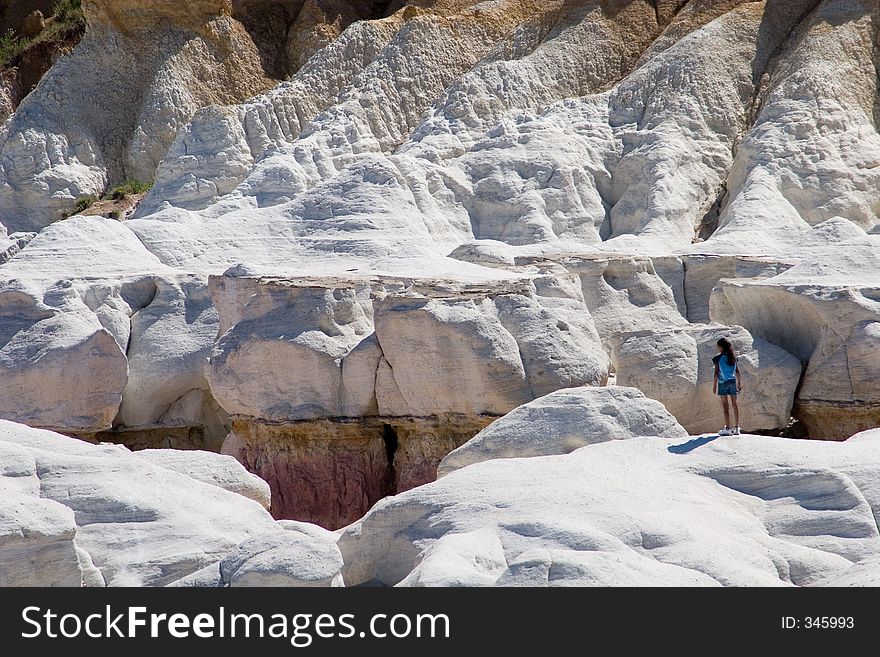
[486,355]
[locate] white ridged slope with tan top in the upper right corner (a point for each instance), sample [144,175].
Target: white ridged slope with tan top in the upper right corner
[811,153]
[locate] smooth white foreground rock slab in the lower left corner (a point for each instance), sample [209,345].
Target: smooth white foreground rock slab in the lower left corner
[74,513]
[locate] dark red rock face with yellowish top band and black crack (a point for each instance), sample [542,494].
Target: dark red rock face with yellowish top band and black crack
[331,472]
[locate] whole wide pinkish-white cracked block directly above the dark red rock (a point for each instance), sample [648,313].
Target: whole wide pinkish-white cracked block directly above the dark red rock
[360,347]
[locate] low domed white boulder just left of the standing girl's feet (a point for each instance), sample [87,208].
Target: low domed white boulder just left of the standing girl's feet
[564,421]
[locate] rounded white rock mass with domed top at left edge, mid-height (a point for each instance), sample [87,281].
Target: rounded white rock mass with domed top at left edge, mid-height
[96,343]
